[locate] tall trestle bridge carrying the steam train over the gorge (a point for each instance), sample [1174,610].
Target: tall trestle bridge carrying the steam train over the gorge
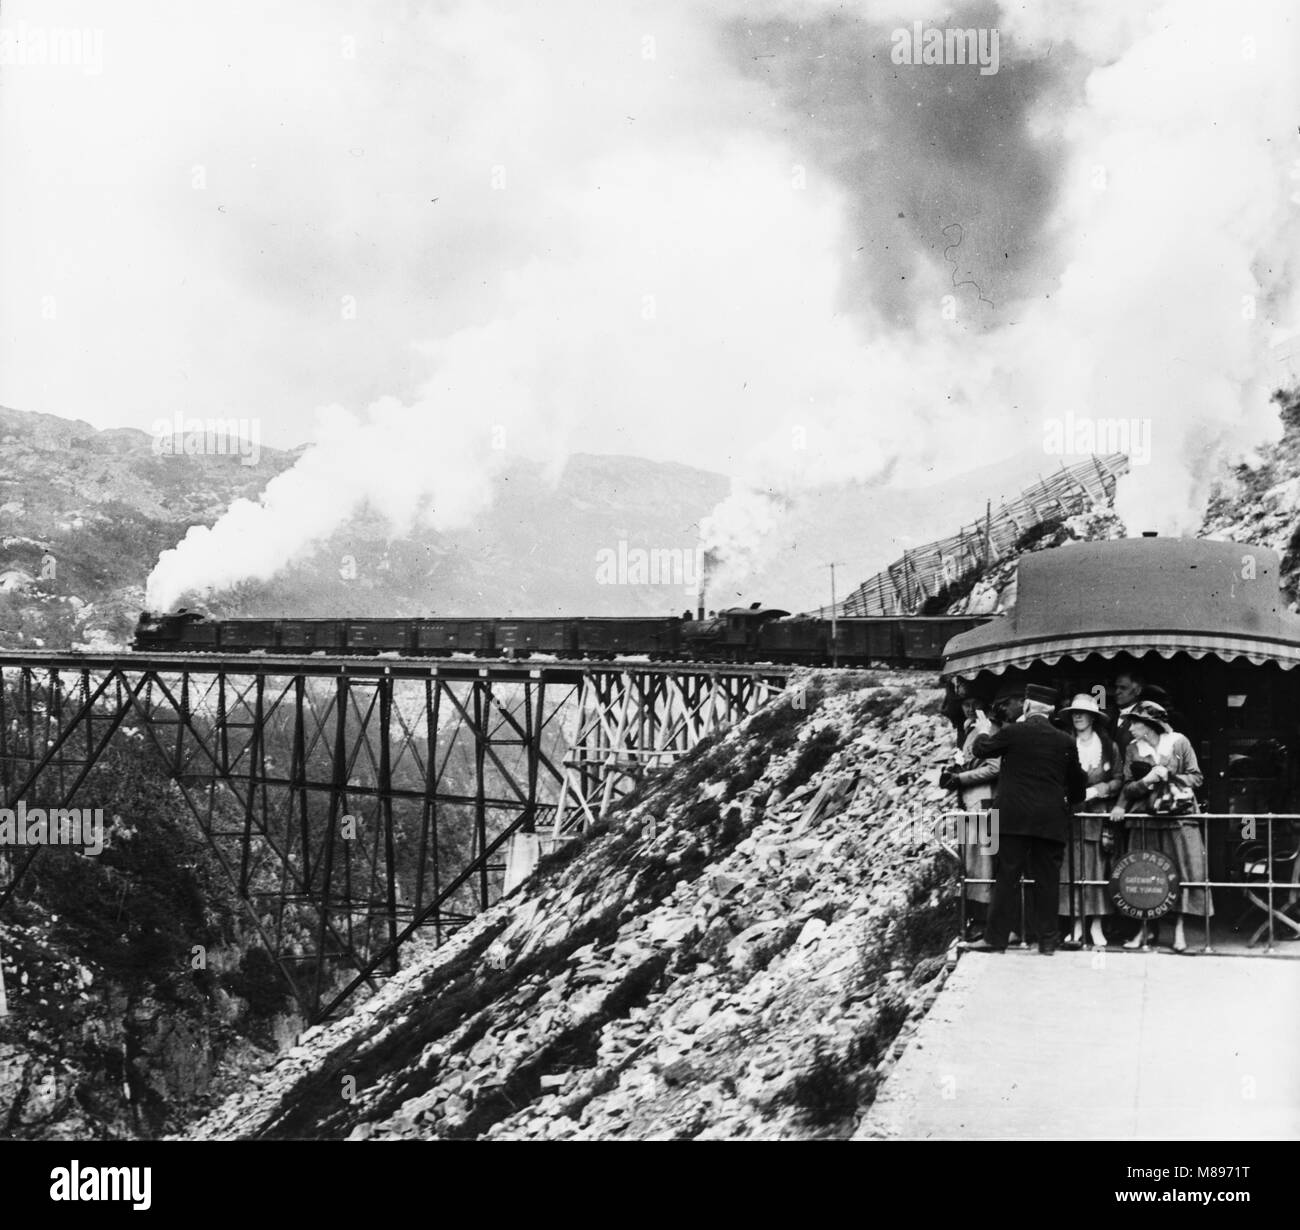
[357,802]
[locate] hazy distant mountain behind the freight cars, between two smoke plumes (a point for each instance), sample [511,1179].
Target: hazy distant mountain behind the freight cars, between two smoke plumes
[543,548]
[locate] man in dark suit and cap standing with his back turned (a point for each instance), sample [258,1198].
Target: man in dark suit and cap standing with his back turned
[1041,779]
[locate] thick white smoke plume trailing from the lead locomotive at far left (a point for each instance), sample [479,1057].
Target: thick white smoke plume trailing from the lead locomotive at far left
[431,461]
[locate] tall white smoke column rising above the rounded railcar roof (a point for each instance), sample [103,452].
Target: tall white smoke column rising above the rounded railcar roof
[1182,232]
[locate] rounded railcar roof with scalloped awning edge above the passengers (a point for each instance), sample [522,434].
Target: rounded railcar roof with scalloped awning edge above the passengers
[1138,596]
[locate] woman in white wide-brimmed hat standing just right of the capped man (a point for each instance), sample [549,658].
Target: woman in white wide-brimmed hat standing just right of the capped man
[1104,769]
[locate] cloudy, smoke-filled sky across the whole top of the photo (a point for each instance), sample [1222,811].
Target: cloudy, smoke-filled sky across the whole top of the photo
[730,235]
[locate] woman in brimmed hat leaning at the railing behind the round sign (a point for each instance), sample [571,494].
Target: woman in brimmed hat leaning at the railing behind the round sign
[1162,774]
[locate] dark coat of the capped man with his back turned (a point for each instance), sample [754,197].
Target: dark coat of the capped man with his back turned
[1041,778]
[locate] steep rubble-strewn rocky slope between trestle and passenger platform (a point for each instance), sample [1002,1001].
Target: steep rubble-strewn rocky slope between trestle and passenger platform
[735,954]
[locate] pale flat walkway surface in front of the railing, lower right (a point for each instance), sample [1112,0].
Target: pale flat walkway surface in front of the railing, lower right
[1112,1047]
